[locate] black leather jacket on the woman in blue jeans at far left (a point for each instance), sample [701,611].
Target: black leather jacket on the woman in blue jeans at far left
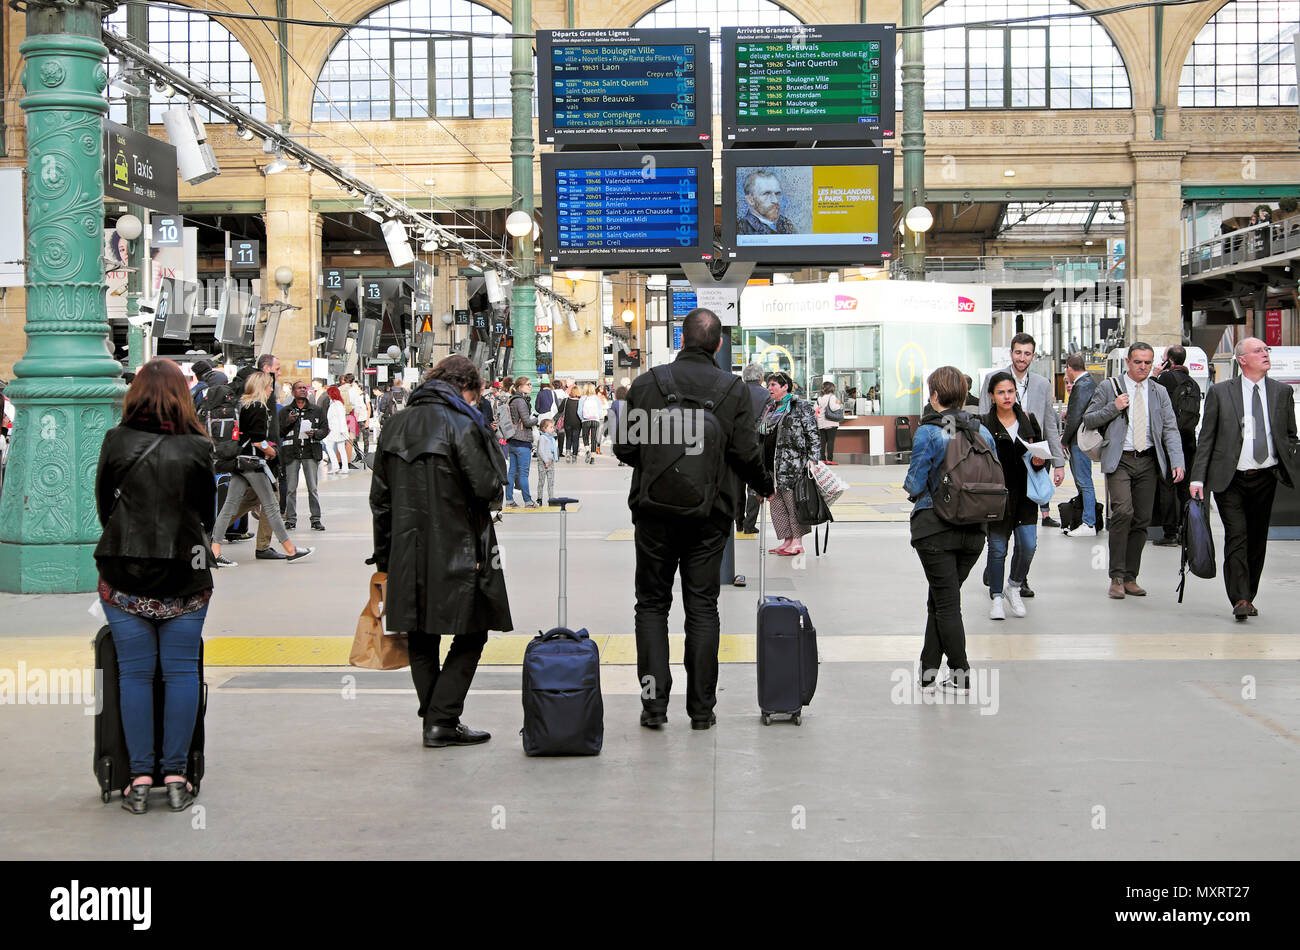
[164,514]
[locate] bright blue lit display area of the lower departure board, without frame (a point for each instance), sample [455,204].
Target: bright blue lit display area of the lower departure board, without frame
[622,209]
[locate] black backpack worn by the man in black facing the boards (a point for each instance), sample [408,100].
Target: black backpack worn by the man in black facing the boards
[682,449]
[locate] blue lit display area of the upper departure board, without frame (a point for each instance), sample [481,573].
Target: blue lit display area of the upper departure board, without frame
[623,86]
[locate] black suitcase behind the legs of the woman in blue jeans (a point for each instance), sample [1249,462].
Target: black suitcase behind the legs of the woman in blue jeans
[112,762]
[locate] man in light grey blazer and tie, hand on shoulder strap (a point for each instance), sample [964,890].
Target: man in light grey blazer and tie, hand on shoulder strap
[1141,443]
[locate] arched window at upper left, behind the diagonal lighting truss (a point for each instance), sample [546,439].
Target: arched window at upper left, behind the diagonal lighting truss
[203,50]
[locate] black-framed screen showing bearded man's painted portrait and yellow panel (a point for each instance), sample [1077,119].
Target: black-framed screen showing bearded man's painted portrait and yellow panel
[821,205]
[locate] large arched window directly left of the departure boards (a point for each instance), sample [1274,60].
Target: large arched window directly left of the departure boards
[375,76]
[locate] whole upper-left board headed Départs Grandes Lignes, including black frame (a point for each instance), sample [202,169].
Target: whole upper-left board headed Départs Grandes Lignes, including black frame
[625,86]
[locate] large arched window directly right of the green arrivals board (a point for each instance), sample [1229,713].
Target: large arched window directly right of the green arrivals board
[1051,64]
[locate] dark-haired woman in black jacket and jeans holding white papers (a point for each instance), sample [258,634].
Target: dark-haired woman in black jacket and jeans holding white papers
[1013,433]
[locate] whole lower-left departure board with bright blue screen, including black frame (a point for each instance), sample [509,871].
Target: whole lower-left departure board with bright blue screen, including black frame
[640,207]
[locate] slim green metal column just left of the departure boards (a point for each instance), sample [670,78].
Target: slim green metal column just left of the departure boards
[523,301]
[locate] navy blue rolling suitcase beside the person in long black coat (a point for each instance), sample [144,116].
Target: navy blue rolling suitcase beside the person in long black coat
[564,708]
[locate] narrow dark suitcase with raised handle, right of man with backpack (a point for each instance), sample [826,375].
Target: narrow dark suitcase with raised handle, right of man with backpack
[787,647]
